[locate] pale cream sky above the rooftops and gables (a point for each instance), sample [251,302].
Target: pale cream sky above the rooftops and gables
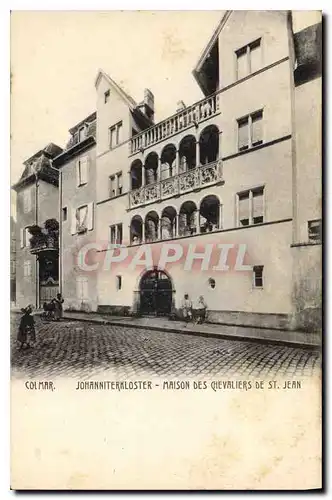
[55,57]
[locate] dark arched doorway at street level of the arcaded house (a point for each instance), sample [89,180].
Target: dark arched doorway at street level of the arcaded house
[155,293]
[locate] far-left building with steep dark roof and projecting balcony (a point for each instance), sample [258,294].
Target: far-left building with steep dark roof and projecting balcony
[37,252]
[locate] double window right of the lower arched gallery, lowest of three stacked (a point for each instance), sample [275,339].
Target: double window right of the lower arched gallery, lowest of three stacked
[250,207]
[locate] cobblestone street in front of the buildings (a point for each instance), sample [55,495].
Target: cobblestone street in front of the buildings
[84,349]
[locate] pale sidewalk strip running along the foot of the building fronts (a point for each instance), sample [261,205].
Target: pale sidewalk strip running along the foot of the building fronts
[207,329]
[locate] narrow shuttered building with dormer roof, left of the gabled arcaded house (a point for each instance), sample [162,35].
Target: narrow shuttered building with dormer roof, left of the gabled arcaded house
[77,166]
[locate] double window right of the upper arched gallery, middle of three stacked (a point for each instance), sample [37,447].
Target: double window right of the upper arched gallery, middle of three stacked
[250,130]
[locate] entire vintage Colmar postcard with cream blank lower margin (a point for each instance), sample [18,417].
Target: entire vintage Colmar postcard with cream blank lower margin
[166,250]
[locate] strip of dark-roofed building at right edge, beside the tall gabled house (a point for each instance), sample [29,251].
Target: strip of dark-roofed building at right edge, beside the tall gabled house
[307,177]
